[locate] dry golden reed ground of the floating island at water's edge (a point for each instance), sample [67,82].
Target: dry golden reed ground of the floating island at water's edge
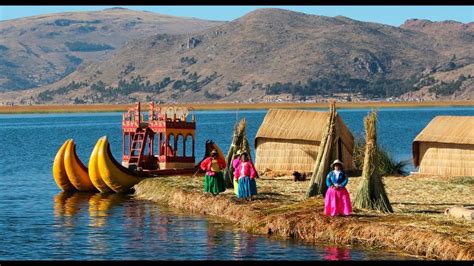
[280,210]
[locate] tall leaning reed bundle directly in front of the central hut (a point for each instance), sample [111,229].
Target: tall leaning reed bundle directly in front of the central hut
[317,185]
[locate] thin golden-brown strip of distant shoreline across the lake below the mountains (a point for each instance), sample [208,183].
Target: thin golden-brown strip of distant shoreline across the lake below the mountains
[80,108]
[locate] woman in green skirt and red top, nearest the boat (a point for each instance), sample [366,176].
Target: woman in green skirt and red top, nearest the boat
[214,178]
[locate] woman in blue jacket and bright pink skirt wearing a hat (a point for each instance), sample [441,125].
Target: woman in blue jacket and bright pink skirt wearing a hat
[337,200]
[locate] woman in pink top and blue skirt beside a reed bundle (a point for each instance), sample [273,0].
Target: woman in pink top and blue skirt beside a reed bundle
[245,174]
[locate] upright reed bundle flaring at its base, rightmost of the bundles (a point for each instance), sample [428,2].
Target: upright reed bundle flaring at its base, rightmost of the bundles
[371,193]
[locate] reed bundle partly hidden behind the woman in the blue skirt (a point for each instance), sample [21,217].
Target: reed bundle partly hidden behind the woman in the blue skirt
[239,142]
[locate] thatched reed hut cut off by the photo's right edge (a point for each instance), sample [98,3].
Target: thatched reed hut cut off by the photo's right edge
[446,147]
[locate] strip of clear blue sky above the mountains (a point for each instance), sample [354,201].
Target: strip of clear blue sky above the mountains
[391,15]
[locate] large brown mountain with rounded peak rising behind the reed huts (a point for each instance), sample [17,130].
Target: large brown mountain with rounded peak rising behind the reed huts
[273,51]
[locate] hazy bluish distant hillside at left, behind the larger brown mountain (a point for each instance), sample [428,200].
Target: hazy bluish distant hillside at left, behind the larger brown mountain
[40,50]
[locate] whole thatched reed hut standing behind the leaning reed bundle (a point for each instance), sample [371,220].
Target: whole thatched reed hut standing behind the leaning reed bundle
[288,140]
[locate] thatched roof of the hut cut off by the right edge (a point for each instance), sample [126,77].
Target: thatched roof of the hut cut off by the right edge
[445,129]
